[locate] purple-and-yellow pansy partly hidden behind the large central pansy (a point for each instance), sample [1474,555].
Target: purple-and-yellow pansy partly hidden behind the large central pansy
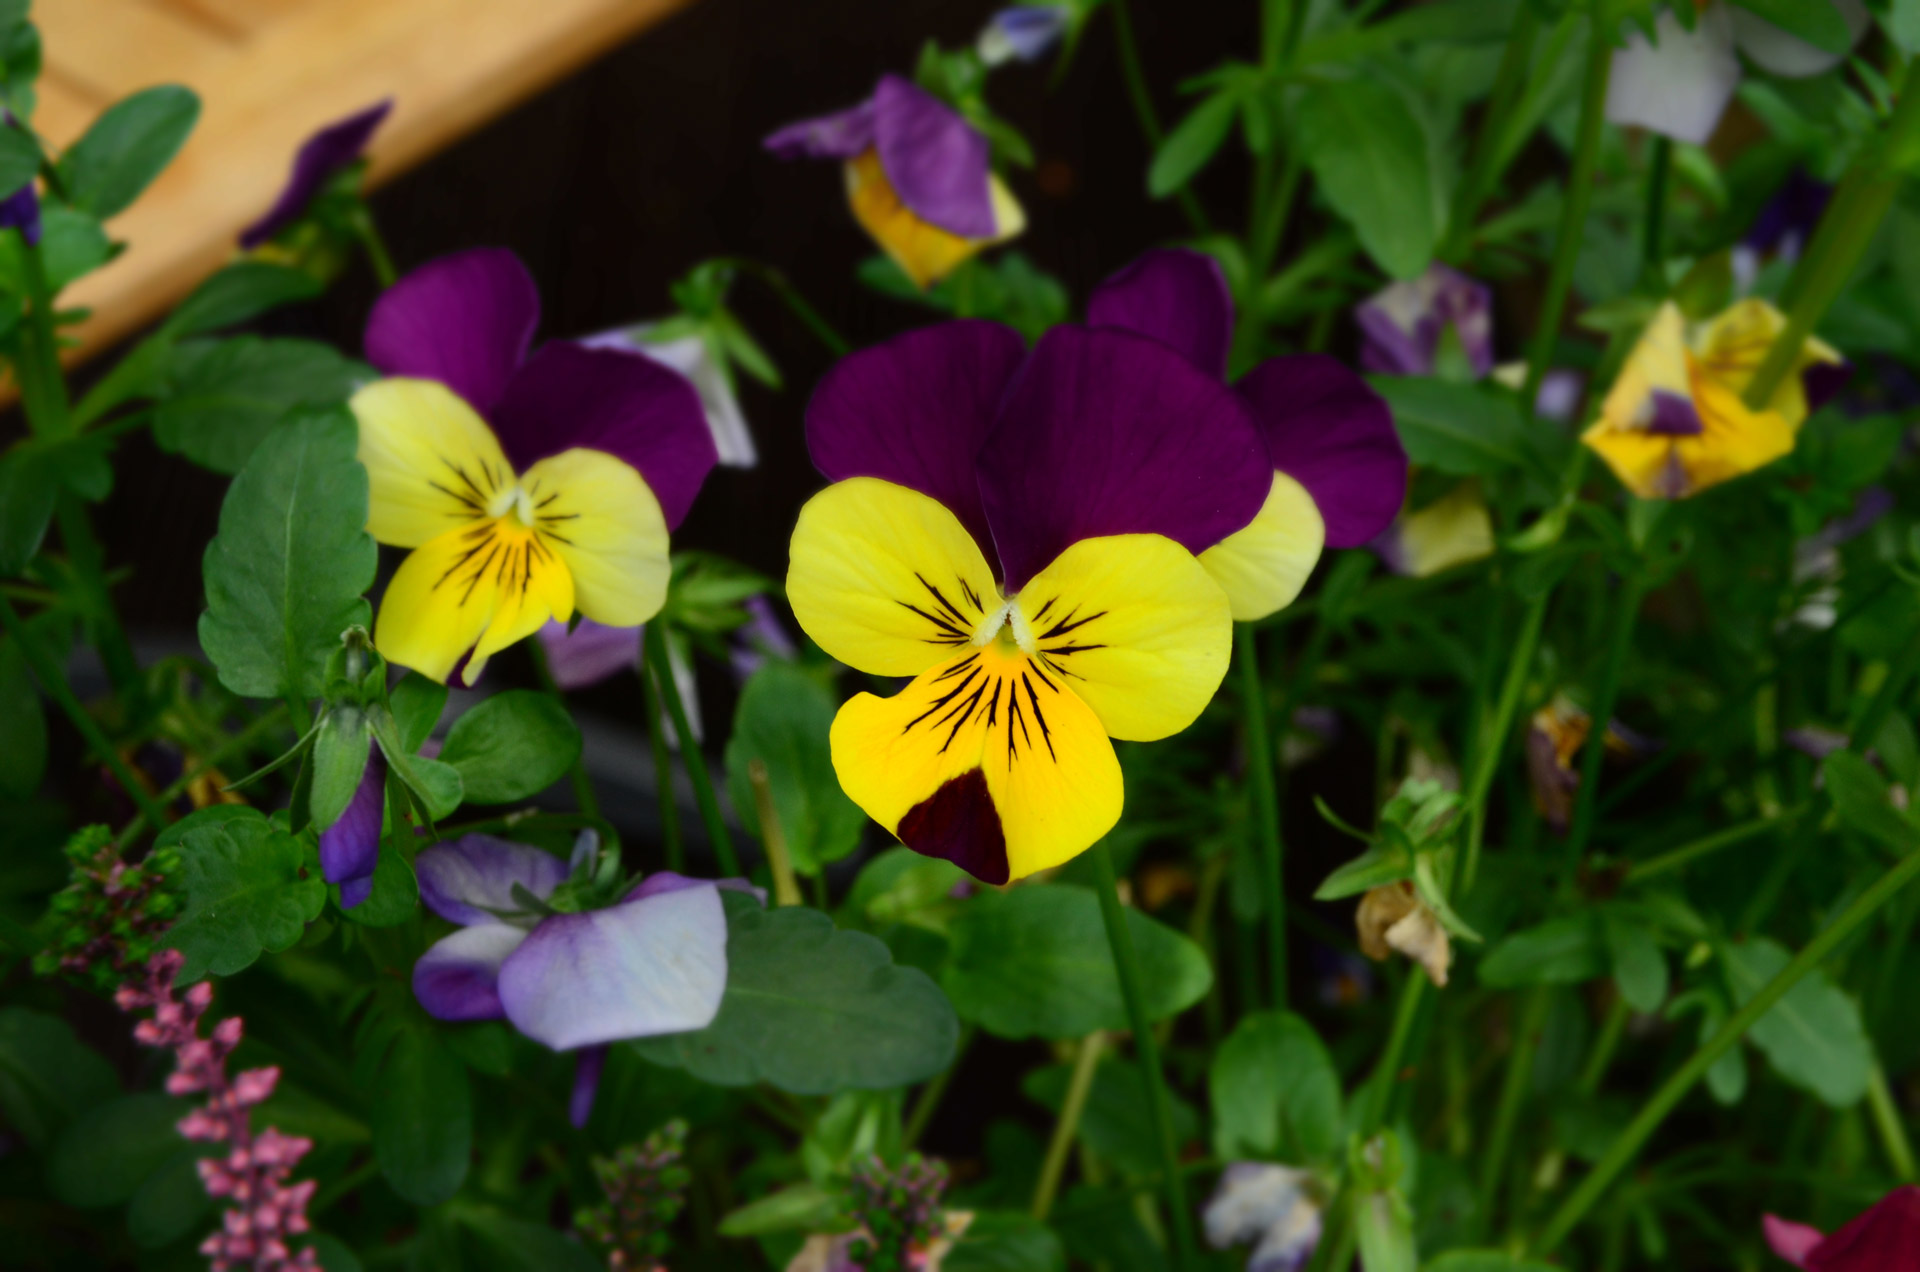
[1337,472]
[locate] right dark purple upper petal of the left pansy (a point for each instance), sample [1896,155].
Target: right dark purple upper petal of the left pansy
[612,401]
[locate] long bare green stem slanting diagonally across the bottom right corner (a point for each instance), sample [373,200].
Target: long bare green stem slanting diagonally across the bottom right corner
[1629,1142]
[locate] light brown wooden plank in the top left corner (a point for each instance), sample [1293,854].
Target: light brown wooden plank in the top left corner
[448,64]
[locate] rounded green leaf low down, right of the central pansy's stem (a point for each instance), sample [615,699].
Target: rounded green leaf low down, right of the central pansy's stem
[1276,1092]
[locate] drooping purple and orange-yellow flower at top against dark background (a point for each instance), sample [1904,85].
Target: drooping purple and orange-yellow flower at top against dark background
[919,178]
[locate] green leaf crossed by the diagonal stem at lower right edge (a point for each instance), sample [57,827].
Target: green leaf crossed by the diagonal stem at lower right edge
[1813,1037]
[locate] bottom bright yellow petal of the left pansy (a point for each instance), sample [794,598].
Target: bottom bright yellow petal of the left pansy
[477,589]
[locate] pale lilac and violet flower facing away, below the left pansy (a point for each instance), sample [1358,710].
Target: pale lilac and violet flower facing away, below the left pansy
[652,964]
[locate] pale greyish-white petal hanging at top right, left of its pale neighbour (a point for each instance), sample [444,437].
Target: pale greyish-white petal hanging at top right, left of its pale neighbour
[1681,86]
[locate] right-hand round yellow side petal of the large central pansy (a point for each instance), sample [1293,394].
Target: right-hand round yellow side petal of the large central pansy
[1136,625]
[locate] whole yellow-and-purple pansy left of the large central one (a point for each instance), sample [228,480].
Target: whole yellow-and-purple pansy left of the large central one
[527,485]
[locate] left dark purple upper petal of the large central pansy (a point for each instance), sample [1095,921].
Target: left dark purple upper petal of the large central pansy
[917,412]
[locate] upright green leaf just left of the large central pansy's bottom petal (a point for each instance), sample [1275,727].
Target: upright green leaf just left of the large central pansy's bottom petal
[782,722]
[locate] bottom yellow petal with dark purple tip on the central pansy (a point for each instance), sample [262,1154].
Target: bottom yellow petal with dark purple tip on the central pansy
[986,760]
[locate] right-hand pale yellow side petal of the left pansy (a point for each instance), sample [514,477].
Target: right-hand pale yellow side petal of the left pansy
[604,522]
